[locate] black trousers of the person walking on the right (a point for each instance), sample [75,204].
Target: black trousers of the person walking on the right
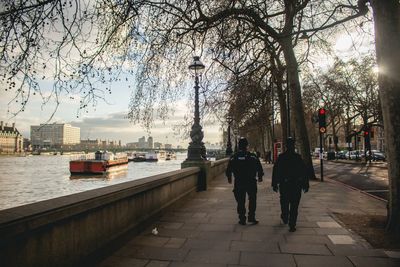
[290,198]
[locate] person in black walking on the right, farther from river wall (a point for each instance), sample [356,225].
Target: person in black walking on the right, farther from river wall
[289,173]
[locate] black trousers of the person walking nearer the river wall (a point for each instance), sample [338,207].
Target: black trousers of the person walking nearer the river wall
[240,191]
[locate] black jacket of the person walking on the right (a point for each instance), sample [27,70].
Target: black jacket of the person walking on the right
[290,169]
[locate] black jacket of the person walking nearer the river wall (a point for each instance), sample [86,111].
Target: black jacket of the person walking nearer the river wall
[244,166]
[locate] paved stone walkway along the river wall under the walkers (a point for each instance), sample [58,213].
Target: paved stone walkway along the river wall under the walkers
[204,231]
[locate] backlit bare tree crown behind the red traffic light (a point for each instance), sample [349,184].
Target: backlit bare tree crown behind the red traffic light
[349,91]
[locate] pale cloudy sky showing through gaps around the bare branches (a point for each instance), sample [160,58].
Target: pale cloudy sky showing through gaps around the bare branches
[108,120]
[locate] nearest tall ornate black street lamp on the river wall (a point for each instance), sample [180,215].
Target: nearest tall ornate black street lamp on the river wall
[196,149]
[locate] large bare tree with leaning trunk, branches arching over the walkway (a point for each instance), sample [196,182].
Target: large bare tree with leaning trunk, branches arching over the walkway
[163,35]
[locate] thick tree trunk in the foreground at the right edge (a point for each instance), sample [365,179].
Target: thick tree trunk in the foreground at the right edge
[387,41]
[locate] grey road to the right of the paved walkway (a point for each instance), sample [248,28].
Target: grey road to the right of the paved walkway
[370,179]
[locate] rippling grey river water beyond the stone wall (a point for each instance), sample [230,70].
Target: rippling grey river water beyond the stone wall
[30,179]
